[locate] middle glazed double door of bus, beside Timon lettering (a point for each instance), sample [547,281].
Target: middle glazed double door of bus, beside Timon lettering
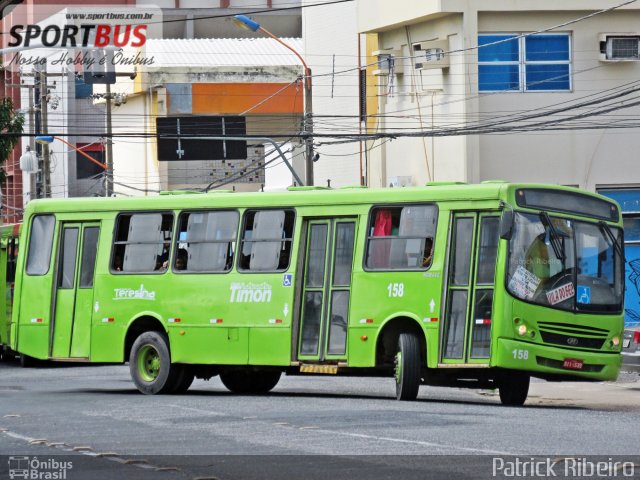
[324,299]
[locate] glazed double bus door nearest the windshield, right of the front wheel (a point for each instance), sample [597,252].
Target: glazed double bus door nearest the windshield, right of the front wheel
[466,333]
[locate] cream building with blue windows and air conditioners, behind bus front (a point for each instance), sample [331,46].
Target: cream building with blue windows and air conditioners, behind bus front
[523,91]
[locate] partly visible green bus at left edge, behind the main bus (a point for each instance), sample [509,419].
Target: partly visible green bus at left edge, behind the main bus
[9,235]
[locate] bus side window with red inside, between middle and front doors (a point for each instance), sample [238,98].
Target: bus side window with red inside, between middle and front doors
[401,238]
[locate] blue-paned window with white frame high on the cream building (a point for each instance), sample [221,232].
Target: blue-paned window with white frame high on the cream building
[532,63]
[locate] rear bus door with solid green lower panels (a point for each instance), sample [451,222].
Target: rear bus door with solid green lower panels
[71,329]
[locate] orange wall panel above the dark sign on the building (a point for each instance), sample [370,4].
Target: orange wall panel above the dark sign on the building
[230,98]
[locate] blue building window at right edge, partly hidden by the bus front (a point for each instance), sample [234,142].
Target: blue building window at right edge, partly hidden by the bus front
[629,200]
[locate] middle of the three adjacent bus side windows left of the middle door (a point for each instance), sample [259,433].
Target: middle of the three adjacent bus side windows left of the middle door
[206,240]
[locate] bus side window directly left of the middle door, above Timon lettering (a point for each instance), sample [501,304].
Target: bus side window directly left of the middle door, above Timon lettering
[266,240]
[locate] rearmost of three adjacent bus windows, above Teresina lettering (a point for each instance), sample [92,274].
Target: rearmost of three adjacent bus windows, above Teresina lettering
[142,242]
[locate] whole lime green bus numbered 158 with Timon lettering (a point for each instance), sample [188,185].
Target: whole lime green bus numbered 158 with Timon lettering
[478,286]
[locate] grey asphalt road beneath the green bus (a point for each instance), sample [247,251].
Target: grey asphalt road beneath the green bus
[308,427]
